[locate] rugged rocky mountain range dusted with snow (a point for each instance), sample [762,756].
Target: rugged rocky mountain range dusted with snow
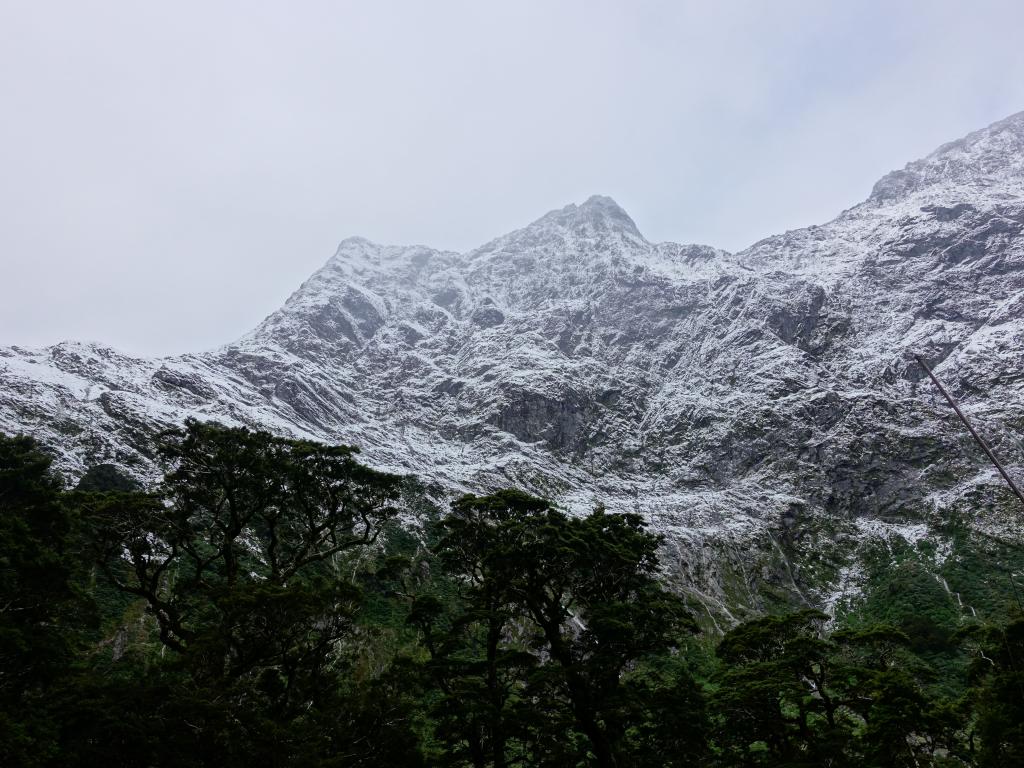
[762,409]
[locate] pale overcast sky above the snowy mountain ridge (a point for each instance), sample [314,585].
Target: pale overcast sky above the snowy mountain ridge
[172,172]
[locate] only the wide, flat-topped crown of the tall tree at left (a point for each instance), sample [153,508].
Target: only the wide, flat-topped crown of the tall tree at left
[240,513]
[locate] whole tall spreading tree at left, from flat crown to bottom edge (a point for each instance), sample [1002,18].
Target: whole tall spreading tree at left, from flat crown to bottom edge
[243,561]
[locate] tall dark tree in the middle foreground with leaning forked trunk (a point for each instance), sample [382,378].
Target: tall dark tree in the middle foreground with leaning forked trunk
[565,612]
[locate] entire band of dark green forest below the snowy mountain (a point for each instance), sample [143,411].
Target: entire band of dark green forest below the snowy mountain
[266,607]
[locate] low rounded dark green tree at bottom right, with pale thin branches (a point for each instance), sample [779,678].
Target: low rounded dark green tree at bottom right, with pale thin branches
[789,695]
